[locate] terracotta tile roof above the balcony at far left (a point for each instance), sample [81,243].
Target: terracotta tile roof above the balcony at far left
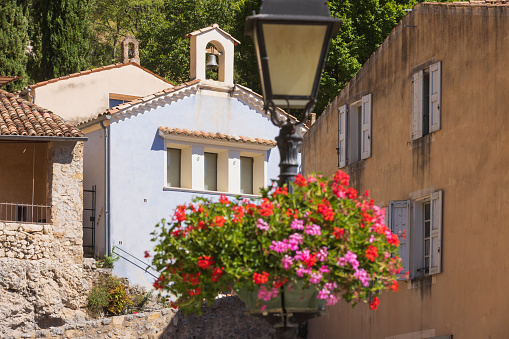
[20,117]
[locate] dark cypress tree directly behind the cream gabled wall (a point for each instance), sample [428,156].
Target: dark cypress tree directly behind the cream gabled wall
[60,37]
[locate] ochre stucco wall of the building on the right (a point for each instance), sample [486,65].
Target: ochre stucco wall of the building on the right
[468,159]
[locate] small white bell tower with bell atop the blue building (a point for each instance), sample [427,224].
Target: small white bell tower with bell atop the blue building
[223,48]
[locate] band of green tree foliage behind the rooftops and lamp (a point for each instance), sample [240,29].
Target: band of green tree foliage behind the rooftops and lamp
[72,35]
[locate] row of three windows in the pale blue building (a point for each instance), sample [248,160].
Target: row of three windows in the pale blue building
[222,167]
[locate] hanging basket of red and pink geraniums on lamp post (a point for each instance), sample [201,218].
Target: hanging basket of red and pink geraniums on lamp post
[317,244]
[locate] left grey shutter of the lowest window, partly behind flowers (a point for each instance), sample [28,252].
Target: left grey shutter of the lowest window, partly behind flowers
[399,220]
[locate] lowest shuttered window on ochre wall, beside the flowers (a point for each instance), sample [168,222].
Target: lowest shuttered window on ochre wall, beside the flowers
[421,222]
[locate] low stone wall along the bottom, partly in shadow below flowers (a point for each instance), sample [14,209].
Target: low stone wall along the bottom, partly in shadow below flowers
[225,319]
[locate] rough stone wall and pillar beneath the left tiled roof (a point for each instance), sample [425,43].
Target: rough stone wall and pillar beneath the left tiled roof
[43,281]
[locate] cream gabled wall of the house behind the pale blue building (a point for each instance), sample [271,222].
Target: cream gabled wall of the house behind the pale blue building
[85,96]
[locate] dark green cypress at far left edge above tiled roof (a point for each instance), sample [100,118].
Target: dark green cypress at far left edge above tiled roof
[13,42]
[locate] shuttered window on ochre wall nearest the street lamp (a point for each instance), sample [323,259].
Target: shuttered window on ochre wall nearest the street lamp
[354,131]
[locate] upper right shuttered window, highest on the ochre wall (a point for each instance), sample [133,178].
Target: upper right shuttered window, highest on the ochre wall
[426,95]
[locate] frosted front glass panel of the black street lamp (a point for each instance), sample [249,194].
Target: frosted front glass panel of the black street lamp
[294,53]
